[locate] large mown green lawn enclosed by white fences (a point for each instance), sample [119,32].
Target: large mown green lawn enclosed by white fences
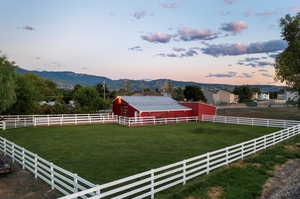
[102,153]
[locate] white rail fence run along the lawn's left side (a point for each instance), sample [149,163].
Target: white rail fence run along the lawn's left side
[57,177]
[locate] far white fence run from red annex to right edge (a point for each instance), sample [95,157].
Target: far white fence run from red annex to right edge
[250,121]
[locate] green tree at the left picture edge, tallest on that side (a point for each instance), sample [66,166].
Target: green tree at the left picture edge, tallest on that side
[7,84]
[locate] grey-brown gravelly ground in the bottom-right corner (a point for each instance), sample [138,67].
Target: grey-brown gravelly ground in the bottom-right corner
[285,183]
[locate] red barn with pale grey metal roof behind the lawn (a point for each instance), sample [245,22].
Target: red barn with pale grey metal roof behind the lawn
[157,106]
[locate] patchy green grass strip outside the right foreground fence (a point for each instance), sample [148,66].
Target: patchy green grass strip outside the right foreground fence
[244,180]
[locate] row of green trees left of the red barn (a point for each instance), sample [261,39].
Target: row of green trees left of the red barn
[31,94]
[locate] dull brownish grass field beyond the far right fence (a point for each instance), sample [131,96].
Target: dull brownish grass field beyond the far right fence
[286,113]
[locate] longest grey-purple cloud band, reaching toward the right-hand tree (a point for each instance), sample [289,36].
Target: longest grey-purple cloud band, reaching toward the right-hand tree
[241,49]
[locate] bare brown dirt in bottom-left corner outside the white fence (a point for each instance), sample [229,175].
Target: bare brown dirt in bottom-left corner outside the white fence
[20,184]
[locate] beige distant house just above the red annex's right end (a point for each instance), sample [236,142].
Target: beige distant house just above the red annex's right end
[220,97]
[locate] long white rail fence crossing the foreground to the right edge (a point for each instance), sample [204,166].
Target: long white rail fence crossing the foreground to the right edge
[147,184]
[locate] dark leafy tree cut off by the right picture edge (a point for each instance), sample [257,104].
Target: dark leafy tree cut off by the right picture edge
[287,66]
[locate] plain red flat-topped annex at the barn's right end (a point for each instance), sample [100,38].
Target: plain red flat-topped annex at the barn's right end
[200,108]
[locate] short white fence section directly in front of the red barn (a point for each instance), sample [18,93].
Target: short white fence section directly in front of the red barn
[141,121]
